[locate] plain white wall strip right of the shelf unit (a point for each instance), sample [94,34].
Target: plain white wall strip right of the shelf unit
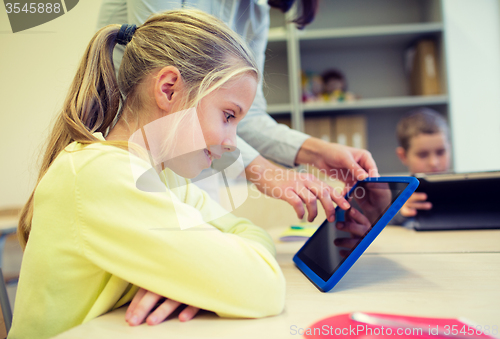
[472,31]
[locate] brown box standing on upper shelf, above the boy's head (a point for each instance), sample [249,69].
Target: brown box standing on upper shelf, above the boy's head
[421,61]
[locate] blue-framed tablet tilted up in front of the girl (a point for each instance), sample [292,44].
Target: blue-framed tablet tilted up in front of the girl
[378,199]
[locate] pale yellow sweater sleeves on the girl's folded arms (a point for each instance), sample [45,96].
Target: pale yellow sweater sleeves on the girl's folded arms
[226,267]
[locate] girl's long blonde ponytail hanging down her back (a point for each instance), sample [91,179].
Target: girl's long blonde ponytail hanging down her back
[91,105]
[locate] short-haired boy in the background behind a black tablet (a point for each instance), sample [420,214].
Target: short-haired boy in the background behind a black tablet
[424,147]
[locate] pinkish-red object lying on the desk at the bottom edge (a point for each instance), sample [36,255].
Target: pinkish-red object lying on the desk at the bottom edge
[377,325]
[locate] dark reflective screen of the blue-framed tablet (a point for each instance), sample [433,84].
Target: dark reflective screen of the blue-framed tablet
[372,199]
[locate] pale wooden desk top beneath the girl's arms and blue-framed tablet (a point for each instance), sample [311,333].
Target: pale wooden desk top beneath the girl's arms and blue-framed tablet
[444,279]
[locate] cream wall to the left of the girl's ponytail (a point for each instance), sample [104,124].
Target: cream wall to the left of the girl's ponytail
[36,68]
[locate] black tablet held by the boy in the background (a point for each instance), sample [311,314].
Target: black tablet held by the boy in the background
[460,201]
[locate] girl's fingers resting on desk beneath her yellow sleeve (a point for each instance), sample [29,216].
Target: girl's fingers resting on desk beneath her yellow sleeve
[144,302]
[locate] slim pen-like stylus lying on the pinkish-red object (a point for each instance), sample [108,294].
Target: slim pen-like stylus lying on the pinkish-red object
[380,321]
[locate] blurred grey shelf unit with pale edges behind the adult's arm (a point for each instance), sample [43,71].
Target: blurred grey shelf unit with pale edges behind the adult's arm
[366,40]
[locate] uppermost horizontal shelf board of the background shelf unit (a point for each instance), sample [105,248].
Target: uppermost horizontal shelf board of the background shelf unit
[367,35]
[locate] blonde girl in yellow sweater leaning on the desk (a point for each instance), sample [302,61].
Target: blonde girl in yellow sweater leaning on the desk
[92,236]
